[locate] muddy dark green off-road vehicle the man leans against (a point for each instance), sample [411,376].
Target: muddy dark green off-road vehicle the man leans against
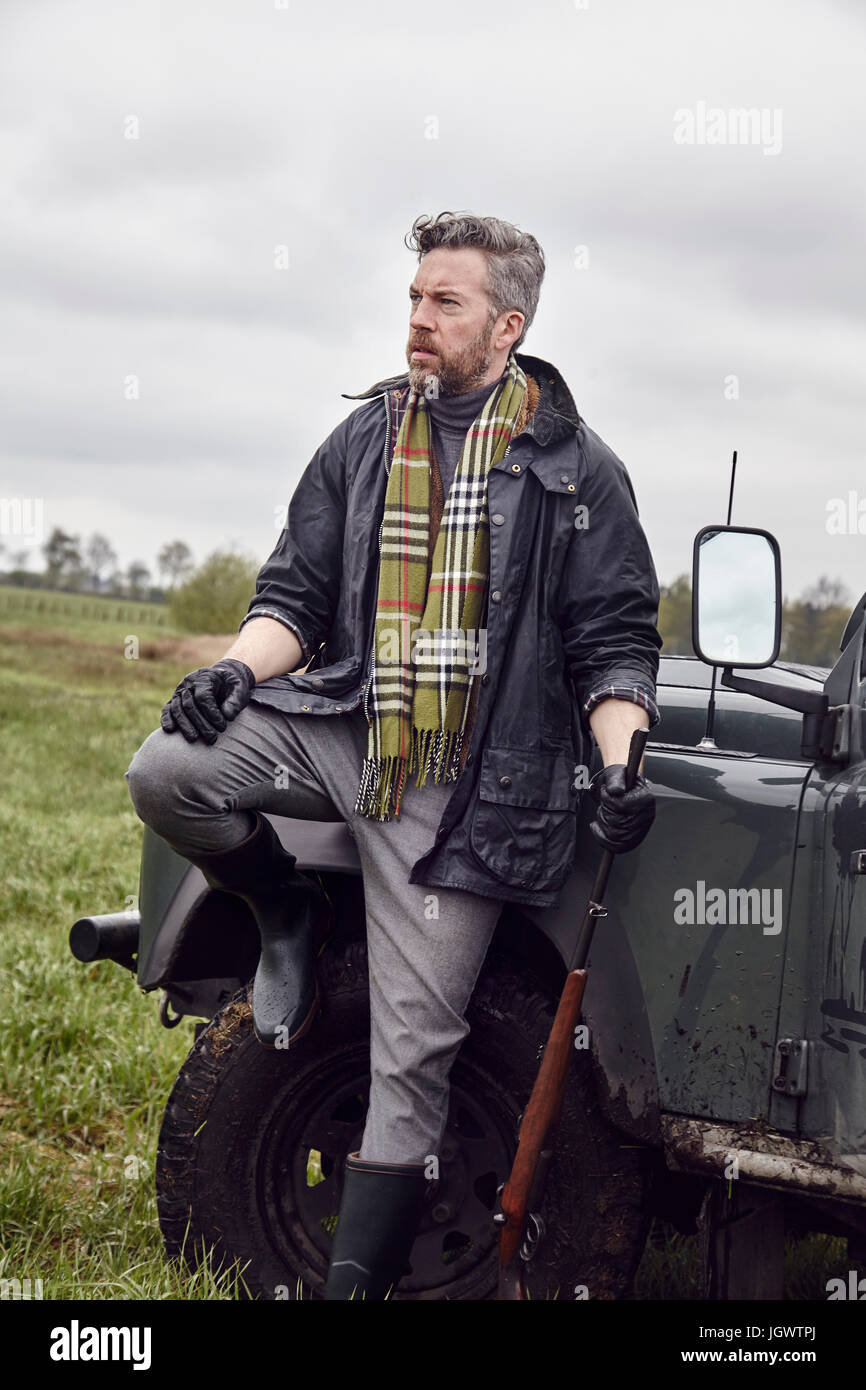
[724,1079]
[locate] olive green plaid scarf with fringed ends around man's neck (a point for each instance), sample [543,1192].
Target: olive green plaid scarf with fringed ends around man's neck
[419,692]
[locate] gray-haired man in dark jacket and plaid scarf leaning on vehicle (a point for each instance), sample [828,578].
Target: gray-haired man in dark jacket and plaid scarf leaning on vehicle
[462,593]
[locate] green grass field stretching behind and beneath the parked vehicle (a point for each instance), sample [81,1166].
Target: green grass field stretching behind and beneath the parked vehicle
[85,1067]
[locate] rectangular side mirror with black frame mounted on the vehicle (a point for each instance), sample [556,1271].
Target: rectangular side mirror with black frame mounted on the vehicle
[736,597]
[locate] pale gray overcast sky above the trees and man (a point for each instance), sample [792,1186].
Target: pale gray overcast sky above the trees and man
[700,297]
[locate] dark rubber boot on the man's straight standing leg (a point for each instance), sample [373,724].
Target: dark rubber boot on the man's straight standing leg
[379,1220]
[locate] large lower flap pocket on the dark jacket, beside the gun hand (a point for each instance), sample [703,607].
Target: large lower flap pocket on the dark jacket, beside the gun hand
[525,828]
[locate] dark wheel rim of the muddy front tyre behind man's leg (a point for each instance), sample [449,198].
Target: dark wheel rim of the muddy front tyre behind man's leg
[301,1168]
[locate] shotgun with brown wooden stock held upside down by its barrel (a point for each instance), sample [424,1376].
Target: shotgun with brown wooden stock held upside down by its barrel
[521,1227]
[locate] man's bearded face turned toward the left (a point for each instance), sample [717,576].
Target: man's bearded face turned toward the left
[451,318]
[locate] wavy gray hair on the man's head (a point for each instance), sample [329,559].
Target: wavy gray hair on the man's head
[515,261]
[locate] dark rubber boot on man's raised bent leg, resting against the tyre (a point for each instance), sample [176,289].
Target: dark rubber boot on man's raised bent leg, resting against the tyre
[290,908]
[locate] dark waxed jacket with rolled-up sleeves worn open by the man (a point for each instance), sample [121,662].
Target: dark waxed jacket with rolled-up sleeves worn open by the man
[571,616]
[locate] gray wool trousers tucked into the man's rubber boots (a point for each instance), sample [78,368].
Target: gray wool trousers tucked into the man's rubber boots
[426,947]
